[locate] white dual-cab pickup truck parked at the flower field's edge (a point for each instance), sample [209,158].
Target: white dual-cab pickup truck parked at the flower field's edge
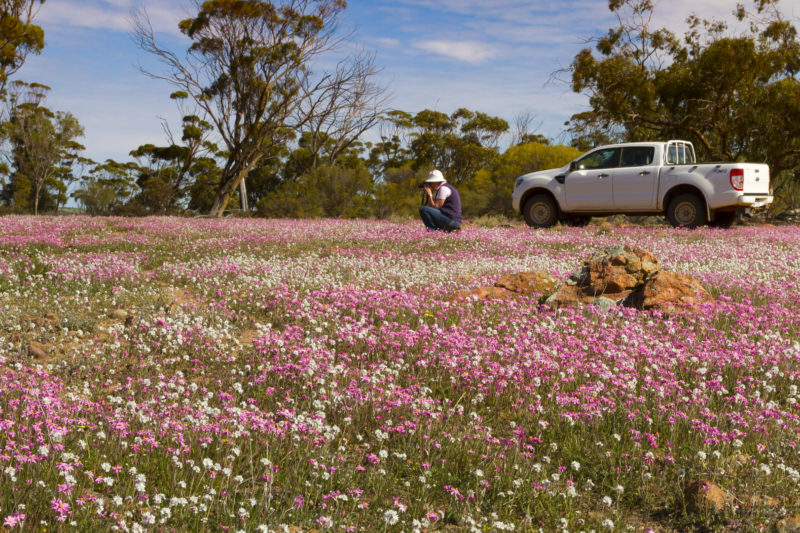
[647,178]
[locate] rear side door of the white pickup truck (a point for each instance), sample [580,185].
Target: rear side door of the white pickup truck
[635,182]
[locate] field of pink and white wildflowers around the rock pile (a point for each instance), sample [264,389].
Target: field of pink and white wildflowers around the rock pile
[169,374]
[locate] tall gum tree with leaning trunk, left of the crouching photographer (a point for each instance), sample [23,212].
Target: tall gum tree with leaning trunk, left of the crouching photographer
[248,69]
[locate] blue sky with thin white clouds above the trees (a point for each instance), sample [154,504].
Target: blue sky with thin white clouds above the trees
[491,56]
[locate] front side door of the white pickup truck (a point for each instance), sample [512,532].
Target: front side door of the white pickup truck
[588,186]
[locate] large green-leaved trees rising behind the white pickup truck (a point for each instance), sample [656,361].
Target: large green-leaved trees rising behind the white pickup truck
[735,96]
